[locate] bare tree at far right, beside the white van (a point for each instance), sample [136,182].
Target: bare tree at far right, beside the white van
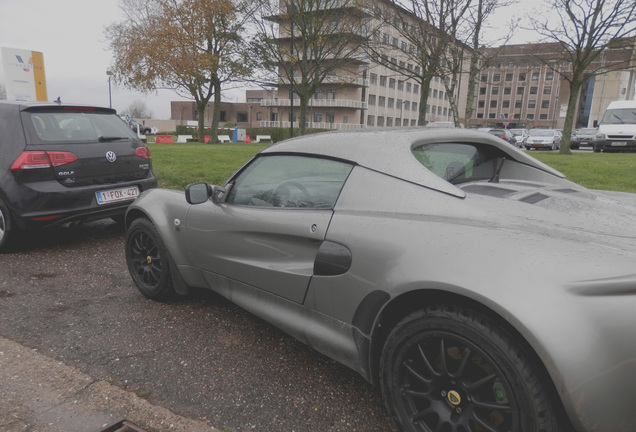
[586,31]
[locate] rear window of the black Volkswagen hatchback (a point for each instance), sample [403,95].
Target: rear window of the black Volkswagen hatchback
[65,126]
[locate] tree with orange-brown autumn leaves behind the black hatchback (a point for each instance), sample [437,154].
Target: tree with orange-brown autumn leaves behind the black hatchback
[192,47]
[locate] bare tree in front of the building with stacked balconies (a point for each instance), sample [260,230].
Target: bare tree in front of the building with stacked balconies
[305,43]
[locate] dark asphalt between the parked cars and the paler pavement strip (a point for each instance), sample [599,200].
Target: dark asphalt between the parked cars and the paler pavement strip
[66,292]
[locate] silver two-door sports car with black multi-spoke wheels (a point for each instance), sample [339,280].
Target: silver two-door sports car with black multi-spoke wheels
[475,286]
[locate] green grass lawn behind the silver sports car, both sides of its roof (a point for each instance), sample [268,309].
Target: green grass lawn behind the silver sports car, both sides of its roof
[177,165]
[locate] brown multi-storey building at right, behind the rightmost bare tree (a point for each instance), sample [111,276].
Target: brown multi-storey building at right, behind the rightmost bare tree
[522,86]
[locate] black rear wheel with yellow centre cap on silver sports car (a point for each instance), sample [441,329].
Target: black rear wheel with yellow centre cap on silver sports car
[452,368]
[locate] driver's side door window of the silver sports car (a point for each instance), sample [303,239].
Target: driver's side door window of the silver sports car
[289,181]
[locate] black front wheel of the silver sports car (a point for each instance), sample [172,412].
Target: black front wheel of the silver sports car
[148,261]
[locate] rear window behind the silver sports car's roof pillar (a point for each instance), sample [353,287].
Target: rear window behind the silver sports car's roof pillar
[459,163]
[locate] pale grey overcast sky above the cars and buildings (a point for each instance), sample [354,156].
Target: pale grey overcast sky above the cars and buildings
[70,34]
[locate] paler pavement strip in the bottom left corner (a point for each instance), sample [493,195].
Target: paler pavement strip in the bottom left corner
[39,394]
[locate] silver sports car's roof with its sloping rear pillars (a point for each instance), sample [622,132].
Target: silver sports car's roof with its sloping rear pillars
[390,151]
